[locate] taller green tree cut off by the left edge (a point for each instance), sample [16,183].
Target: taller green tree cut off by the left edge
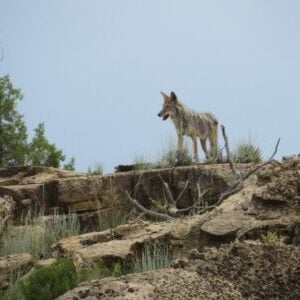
[13,132]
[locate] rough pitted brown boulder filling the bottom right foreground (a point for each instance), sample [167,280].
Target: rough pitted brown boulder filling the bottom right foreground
[239,271]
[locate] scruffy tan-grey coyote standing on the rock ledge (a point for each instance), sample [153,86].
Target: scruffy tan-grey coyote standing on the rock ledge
[190,123]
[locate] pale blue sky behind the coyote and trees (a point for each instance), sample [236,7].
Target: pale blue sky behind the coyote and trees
[92,70]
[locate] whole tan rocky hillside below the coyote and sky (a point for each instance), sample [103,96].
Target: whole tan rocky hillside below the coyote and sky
[245,247]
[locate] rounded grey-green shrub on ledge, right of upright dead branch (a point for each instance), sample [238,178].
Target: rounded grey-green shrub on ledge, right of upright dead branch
[246,153]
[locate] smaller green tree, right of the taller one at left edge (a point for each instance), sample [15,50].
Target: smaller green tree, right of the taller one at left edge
[43,153]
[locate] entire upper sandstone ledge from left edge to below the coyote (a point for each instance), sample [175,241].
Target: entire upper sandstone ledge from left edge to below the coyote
[38,188]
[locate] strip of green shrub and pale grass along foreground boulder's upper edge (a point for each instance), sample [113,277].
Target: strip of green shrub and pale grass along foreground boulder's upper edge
[49,282]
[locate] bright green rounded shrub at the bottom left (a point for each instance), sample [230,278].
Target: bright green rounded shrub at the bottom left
[49,282]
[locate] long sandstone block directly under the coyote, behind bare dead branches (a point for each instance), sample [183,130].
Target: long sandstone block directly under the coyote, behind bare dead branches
[92,192]
